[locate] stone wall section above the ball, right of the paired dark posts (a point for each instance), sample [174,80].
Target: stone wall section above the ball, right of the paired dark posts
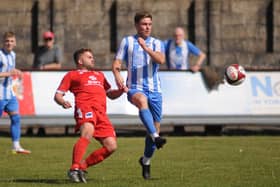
[243,31]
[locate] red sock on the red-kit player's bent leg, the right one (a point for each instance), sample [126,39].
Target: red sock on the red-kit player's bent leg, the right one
[97,156]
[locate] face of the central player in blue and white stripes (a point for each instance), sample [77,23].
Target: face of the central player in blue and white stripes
[144,27]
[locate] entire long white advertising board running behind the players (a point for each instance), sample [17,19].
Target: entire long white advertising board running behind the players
[184,93]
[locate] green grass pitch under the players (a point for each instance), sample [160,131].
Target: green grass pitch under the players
[184,161]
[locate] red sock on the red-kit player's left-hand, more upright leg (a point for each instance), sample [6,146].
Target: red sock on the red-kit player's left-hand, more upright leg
[79,150]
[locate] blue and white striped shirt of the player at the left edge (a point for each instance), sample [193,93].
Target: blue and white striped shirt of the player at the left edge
[7,63]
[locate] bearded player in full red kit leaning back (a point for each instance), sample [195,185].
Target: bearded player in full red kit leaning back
[90,89]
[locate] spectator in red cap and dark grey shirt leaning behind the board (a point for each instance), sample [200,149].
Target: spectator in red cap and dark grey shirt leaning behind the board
[49,55]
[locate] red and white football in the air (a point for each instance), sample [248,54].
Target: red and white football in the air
[235,74]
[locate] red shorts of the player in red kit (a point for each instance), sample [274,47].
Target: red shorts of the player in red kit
[102,126]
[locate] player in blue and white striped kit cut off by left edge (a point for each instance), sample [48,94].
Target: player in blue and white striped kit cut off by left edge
[8,100]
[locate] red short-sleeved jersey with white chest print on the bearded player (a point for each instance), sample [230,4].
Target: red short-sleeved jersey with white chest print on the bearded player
[88,87]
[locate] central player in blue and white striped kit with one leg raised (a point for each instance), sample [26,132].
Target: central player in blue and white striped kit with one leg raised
[143,55]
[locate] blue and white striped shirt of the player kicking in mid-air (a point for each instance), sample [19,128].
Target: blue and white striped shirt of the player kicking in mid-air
[142,71]
